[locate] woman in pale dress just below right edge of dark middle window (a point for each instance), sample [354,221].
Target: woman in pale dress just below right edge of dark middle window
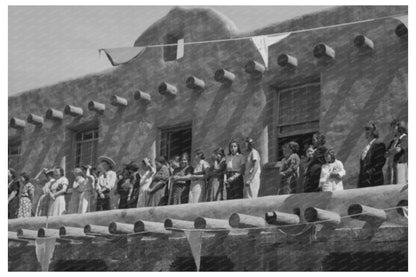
[198,178]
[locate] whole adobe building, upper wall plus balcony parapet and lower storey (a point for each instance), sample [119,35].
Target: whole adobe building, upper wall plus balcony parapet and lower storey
[329,79]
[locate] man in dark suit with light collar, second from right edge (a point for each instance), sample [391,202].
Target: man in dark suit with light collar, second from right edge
[372,159]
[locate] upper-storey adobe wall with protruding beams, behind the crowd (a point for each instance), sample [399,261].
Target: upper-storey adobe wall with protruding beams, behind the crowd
[336,95]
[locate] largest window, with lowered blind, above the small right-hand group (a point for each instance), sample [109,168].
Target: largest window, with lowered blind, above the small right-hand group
[298,115]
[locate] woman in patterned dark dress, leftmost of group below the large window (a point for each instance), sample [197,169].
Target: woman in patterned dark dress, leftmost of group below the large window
[289,171]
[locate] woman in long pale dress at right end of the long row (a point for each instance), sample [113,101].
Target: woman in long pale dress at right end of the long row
[252,171]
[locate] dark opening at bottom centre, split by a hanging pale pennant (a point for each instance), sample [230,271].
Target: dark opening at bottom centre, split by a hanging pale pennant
[208,263]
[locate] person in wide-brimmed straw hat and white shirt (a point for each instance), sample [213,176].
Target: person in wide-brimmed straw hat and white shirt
[106,182]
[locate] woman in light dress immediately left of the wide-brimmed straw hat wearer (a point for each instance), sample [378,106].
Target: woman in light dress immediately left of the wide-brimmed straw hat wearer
[86,188]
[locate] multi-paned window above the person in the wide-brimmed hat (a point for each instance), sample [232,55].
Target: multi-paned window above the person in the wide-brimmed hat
[86,147]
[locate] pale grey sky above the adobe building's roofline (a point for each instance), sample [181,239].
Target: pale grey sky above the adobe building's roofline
[49,44]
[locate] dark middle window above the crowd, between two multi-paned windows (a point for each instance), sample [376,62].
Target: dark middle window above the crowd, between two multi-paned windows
[176,140]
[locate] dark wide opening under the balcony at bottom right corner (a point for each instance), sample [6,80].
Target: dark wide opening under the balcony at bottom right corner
[366,261]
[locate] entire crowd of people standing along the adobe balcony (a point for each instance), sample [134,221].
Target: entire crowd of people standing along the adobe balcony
[231,175]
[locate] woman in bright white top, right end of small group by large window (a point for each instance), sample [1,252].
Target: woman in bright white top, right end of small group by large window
[331,173]
